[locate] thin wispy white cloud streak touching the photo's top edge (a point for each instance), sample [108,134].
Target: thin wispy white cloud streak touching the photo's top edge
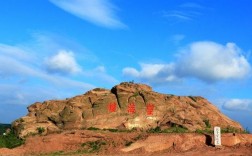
[99,12]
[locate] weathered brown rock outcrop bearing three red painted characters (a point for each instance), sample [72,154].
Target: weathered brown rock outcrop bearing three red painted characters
[125,106]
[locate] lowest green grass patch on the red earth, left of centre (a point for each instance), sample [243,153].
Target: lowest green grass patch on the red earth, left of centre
[93,146]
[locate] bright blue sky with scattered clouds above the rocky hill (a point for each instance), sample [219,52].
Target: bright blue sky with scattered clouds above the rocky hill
[56,49]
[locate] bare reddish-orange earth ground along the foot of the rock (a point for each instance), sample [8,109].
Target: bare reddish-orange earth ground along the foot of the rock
[115,143]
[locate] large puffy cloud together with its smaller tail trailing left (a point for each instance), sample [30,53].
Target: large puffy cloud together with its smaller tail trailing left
[207,61]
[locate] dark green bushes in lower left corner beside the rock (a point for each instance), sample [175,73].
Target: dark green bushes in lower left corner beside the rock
[10,140]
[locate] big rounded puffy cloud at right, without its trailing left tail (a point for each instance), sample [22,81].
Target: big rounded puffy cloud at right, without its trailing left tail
[210,61]
